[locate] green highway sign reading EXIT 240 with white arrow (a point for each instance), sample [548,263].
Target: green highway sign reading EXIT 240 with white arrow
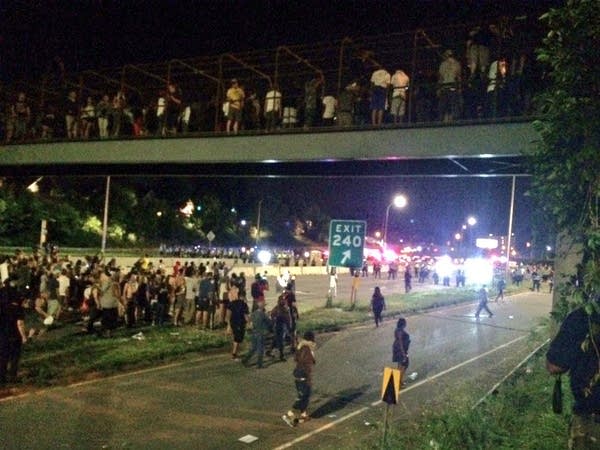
[346,242]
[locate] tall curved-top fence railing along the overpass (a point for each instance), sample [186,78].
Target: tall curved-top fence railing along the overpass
[138,97]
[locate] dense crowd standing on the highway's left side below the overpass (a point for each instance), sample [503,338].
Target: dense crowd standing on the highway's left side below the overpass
[45,291]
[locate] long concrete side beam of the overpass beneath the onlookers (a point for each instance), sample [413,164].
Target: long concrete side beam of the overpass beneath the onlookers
[458,149]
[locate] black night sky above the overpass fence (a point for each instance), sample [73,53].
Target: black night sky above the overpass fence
[95,33]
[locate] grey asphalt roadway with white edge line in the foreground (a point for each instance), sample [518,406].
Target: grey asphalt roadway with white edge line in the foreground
[211,402]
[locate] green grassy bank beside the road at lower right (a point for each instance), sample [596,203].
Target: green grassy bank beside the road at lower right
[518,416]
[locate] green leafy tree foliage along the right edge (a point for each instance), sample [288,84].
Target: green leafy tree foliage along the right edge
[566,161]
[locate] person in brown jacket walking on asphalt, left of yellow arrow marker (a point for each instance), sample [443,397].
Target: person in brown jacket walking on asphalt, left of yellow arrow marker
[305,361]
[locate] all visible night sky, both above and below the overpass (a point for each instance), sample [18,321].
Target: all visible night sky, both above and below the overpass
[93,34]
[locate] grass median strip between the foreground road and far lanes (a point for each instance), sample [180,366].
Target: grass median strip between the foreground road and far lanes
[65,355]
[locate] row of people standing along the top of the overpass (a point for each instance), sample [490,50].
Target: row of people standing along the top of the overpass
[494,76]
